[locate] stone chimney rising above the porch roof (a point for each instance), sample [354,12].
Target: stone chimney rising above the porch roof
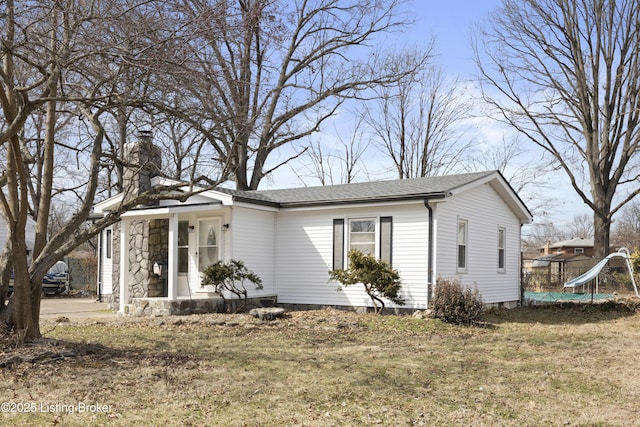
[142,161]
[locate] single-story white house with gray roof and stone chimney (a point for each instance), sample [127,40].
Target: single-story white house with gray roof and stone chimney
[464,227]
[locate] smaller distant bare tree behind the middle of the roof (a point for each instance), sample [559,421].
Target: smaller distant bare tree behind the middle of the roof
[418,123]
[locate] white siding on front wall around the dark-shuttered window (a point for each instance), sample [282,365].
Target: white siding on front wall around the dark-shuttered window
[304,254]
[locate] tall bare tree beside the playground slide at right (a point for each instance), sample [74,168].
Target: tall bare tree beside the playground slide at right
[566,74]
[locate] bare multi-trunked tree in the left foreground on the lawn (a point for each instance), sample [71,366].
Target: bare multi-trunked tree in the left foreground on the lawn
[59,60]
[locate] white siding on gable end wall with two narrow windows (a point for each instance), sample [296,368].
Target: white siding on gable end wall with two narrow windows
[484,211]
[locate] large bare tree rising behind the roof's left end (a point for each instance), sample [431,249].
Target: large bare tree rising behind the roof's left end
[262,74]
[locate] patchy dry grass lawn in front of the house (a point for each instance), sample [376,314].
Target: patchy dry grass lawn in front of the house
[564,365]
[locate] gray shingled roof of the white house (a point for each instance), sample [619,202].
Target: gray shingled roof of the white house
[401,189]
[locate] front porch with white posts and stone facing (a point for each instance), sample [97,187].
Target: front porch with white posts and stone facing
[159,257]
